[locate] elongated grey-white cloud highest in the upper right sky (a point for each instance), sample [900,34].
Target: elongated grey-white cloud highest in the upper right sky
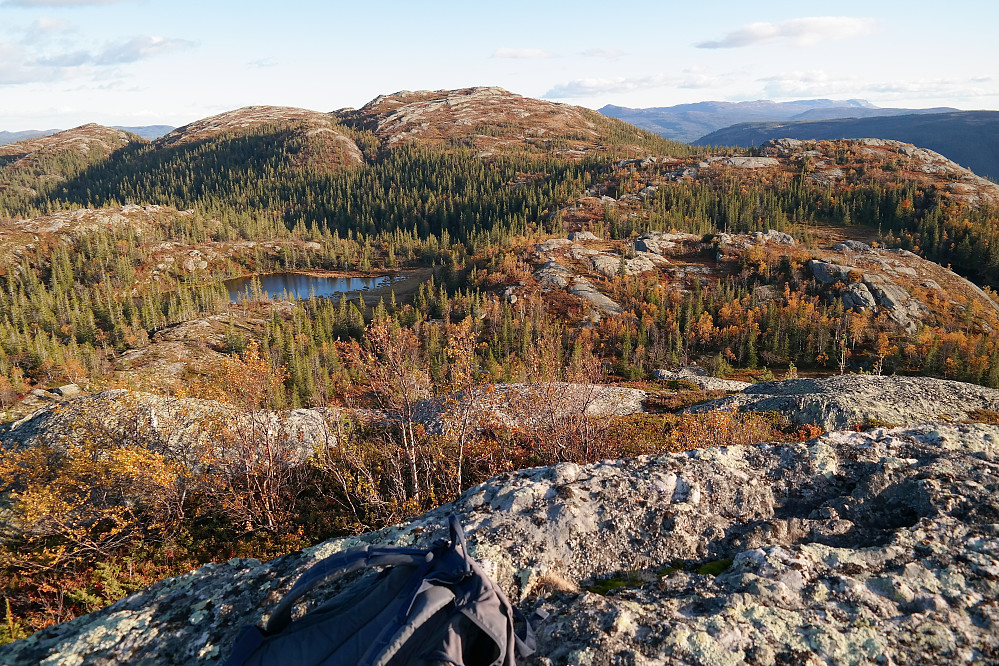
[800,32]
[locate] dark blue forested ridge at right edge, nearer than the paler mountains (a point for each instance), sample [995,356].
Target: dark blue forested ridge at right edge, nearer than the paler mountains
[970,138]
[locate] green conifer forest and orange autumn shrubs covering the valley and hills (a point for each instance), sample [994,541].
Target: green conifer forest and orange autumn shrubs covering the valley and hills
[88,519]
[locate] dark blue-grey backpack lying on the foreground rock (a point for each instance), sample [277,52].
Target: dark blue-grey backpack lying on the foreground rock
[426,607]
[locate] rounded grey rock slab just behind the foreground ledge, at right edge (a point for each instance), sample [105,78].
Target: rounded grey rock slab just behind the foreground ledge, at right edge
[846,401]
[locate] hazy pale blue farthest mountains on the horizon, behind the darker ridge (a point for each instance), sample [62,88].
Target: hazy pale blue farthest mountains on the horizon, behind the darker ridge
[690,122]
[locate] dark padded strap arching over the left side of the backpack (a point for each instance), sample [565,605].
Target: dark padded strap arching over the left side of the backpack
[338,565]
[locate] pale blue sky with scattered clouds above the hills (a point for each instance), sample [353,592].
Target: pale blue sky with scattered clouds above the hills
[144,62]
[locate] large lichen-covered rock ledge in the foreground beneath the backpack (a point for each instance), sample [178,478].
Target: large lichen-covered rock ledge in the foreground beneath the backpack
[854,548]
